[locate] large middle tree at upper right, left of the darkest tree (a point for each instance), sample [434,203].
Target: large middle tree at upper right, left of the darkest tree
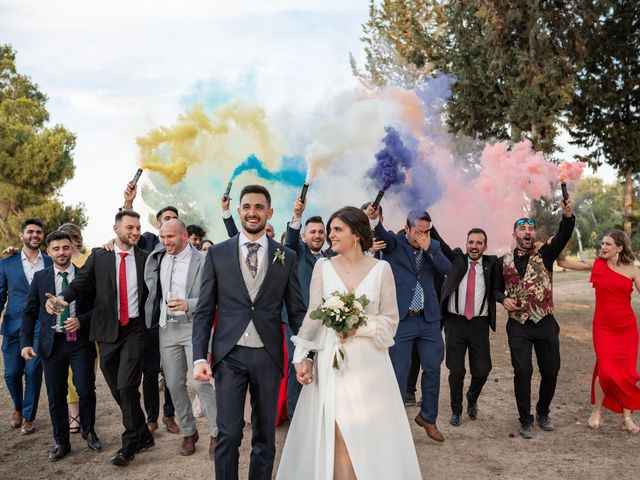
[514,67]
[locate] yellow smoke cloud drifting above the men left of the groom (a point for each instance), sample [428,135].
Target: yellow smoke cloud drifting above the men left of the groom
[222,140]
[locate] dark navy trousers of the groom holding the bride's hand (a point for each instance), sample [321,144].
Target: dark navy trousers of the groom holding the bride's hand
[243,368]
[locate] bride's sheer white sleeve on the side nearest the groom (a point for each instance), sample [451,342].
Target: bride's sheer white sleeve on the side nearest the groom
[310,337]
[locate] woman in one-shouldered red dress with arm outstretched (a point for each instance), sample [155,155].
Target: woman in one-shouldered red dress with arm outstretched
[615,329]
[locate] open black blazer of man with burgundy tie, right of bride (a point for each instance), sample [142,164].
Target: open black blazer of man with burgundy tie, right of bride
[459,267]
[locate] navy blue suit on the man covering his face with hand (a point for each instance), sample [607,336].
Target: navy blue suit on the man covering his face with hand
[421,327]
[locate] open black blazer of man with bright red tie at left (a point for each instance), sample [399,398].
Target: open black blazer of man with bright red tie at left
[99,274]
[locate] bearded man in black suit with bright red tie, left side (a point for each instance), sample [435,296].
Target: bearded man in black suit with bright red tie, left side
[117,324]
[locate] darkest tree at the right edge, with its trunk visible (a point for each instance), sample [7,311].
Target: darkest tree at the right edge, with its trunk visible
[604,114]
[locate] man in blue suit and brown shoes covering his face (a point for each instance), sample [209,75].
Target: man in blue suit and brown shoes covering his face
[415,258]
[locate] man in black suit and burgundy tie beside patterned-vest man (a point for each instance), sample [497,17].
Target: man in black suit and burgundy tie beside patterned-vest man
[468,310]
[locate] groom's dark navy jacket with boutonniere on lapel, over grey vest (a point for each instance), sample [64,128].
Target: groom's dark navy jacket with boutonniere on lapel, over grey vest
[223,288]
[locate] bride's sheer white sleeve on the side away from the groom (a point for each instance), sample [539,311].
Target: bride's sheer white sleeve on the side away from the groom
[383,325]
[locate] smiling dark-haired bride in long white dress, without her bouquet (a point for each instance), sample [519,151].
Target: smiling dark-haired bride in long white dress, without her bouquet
[349,423]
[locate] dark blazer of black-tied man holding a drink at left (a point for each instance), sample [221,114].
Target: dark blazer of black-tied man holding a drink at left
[34,312]
